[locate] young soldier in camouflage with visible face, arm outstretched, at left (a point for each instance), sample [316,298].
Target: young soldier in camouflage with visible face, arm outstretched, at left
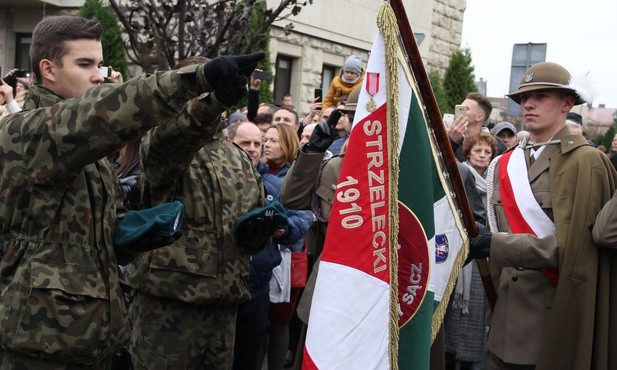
[61,305]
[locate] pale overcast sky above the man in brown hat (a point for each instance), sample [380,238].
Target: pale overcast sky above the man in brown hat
[580,35]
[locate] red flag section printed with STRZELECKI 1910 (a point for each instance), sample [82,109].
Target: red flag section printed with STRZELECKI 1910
[359,216]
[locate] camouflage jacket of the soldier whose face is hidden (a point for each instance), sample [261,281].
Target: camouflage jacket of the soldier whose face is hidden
[217,184]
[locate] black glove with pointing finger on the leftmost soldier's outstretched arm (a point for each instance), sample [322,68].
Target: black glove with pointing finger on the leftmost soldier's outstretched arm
[228,76]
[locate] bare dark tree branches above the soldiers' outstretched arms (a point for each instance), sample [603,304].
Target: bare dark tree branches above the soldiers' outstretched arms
[159,33]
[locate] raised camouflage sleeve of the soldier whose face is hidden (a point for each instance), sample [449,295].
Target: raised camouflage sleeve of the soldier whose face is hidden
[168,150]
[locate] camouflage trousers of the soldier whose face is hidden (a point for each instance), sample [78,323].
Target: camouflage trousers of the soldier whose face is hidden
[169,334]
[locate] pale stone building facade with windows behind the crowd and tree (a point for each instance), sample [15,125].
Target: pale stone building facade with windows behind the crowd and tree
[323,35]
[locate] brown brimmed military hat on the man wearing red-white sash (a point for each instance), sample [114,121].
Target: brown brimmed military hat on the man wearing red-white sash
[546,76]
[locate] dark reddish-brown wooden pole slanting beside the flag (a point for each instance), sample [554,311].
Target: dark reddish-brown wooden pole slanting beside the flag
[443,141]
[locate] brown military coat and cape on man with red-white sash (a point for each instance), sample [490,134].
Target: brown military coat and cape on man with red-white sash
[564,326]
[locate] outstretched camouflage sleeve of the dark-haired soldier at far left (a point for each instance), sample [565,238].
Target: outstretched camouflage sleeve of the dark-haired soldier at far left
[57,141]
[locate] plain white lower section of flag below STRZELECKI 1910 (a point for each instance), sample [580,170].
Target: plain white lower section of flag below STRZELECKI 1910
[355,331]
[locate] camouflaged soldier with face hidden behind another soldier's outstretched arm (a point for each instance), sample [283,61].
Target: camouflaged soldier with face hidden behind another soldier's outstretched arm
[184,311]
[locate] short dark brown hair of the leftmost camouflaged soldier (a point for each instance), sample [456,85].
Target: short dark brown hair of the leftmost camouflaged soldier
[51,34]
